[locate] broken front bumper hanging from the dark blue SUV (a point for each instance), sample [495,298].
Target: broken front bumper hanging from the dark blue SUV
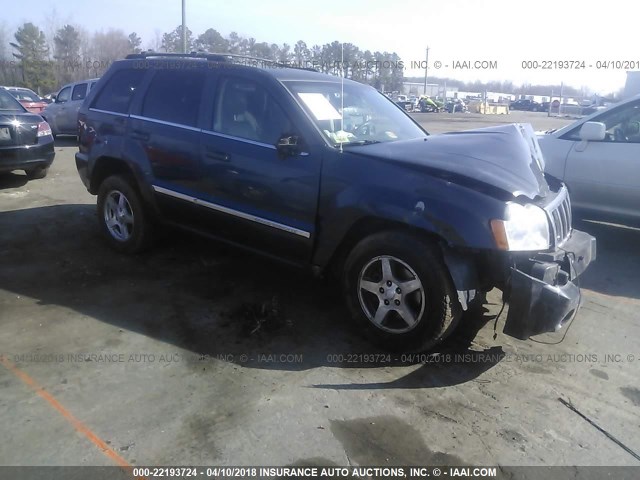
[542,294]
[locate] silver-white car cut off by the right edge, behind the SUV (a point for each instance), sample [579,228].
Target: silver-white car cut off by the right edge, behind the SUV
[598,157]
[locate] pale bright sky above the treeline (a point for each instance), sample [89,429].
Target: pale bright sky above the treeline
[457,32]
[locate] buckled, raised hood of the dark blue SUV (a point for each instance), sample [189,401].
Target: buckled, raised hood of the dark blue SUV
[506,157]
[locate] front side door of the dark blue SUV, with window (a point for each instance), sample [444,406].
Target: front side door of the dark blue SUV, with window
[261,198]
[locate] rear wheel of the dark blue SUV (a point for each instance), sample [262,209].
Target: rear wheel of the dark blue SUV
[125,223]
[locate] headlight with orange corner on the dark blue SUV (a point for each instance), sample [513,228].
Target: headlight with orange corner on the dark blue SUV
[526,228]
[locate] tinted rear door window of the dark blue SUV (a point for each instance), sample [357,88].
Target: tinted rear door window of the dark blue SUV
[175,96]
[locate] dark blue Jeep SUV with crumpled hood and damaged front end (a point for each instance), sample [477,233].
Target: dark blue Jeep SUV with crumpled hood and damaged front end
[334,177]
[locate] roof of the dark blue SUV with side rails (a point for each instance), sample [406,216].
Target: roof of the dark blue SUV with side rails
[280,70]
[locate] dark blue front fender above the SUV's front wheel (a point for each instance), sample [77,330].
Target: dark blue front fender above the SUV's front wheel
[458,215]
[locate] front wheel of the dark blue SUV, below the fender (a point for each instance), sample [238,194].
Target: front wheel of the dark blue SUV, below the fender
[436,308]
